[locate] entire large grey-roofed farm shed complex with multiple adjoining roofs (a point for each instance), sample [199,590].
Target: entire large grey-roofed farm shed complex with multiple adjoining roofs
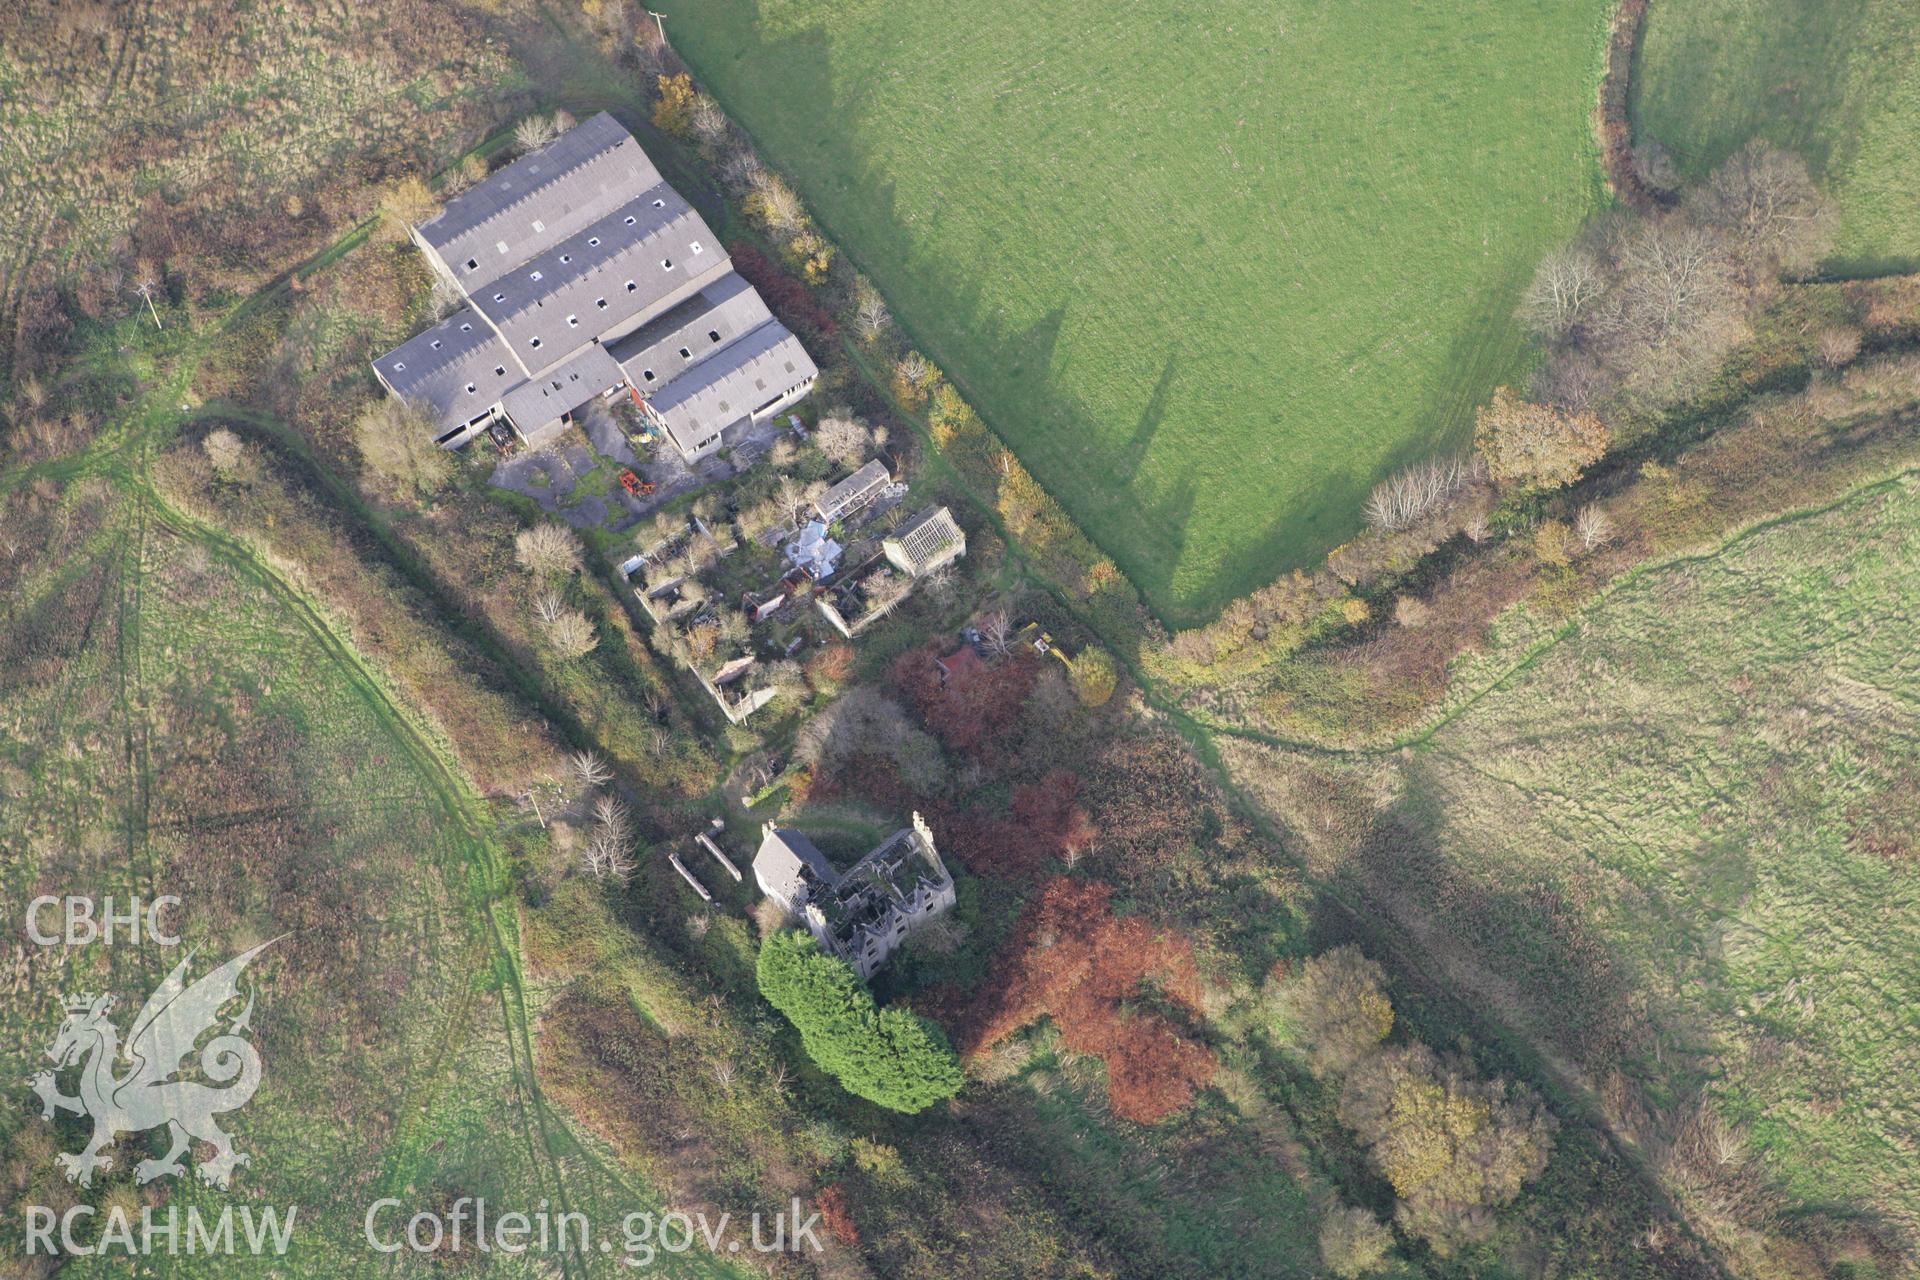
[585,275]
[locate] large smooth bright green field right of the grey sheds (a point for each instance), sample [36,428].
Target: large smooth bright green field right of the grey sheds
[1211,272]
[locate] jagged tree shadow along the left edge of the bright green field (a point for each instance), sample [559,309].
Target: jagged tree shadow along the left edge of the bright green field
[1013,375]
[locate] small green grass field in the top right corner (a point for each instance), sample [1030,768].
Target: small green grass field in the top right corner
[1836,82]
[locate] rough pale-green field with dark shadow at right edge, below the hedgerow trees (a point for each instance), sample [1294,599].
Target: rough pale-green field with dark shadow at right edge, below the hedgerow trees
[1677,849]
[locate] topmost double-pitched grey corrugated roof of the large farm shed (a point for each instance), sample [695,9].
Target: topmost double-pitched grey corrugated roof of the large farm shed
[540,201]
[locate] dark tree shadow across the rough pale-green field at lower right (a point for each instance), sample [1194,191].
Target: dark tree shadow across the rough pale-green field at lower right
[1514,978]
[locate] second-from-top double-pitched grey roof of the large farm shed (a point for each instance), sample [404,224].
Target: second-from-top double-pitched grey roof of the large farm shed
[646,254]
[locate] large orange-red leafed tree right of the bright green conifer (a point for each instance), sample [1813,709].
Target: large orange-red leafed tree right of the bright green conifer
[1076,962]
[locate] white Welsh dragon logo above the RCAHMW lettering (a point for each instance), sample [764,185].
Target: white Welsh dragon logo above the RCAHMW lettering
[147,1097]
